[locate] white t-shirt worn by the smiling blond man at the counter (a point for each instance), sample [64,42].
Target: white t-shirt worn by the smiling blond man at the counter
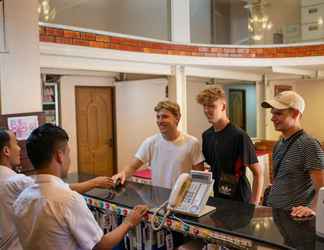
[169,159]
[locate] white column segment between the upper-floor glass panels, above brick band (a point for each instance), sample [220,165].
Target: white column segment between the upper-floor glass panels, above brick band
[180,21]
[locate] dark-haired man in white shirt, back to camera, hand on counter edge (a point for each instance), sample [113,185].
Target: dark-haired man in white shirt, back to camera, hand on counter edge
[48,214]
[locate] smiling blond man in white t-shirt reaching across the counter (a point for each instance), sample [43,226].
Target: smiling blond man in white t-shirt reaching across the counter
[169,153]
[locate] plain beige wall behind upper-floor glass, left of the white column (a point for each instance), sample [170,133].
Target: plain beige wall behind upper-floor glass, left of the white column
[141,17]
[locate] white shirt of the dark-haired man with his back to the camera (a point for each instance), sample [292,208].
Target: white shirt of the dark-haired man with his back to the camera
[49,215]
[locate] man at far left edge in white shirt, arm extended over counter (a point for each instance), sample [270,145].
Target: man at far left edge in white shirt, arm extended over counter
[12,184]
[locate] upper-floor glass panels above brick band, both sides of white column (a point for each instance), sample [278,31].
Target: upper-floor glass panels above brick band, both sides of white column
[222,22]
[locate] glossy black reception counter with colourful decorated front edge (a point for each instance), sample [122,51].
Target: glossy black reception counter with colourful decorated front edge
[233,224]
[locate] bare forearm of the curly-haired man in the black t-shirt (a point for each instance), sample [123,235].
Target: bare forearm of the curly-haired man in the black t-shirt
[257,183]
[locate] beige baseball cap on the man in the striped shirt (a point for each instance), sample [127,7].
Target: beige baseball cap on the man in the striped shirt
[286,100]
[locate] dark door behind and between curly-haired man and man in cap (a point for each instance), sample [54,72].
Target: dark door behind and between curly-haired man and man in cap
[237,108]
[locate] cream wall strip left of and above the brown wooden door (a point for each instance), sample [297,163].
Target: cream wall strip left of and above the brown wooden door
[68,108]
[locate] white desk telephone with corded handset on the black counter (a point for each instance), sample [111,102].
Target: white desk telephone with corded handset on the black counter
[189,196]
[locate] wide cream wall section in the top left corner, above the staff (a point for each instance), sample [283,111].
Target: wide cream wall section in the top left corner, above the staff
[20,67]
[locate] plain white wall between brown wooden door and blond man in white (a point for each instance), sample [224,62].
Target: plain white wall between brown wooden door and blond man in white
[135,102]
